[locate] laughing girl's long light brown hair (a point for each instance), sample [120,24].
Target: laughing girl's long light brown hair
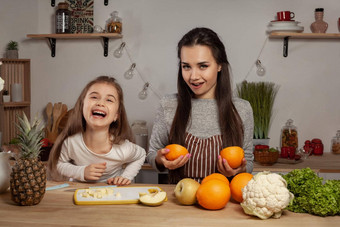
[119,129]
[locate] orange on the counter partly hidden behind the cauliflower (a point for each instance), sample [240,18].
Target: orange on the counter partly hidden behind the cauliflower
[237,183]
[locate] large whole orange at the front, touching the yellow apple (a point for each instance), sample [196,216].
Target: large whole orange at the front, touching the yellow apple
[213,194]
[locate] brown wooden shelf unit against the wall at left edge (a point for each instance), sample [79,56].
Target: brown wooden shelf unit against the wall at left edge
[14,71]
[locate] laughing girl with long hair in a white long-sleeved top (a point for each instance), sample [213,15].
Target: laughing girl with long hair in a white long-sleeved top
[95,144]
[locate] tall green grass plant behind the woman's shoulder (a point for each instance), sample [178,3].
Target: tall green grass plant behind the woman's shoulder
[261,96]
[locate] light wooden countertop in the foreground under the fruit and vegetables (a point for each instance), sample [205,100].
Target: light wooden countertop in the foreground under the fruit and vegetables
[58,209]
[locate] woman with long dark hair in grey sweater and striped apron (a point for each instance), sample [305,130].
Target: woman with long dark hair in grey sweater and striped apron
[203,116]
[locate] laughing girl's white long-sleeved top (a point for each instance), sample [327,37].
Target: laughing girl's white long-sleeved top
[75,156]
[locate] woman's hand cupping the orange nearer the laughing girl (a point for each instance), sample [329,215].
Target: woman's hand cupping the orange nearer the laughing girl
[162,161]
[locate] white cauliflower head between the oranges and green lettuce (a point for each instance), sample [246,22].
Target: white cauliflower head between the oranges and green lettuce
[266,195]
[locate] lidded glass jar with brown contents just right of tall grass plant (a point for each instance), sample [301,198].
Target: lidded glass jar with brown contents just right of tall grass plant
[289,135]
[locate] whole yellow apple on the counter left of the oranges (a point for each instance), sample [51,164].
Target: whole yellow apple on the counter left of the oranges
[185,191]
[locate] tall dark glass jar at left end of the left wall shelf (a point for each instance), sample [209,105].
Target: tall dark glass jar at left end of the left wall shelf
[63,19]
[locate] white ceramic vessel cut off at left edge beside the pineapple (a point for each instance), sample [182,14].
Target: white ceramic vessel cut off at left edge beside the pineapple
[5,171]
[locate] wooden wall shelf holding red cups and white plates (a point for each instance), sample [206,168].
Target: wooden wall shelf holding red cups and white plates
[287,35]
